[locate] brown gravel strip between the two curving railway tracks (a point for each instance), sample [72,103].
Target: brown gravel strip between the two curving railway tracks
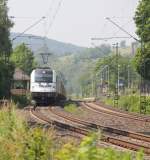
[109,120]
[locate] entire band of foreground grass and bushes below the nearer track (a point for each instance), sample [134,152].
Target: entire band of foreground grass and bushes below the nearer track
[19,142]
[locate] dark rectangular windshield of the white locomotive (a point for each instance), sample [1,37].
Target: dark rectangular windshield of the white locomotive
[45,76]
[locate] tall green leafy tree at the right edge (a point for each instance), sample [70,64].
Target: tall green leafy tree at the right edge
[142,20]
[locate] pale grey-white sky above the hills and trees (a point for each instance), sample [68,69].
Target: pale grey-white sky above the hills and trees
[74,21]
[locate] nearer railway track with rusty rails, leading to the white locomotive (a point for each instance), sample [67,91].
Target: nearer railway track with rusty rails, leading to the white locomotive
[89,126]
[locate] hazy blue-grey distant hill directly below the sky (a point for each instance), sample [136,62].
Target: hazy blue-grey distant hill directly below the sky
[37,42]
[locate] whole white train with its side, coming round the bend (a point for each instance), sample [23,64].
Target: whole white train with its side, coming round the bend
[46,86]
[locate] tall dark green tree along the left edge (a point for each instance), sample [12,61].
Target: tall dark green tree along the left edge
[6,68]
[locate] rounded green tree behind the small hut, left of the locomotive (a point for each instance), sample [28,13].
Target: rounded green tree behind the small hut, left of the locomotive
[23,58]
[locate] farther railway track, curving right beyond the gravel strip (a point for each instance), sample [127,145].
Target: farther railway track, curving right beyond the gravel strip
[100,109]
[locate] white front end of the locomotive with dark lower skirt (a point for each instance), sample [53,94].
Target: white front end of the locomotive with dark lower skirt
[43,85]
